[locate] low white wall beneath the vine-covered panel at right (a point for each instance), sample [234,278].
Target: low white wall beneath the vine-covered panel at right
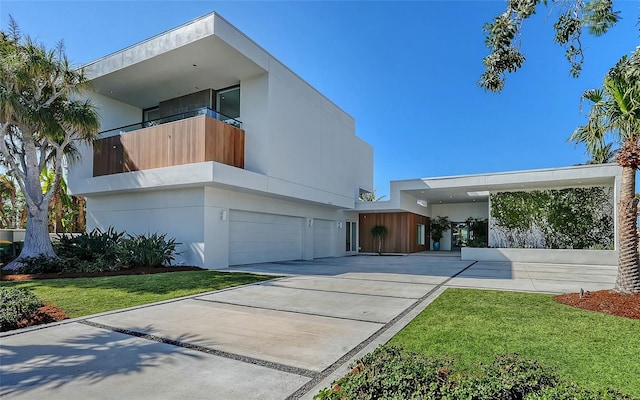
[551,256]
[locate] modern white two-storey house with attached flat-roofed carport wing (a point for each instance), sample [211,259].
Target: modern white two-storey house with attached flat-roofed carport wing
[210,139]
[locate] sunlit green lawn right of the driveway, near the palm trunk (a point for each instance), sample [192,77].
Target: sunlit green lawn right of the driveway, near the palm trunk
[593,349]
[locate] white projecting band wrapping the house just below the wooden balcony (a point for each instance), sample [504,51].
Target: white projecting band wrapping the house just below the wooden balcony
[206,174]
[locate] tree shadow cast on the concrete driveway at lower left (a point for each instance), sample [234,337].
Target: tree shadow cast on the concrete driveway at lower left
[86,358]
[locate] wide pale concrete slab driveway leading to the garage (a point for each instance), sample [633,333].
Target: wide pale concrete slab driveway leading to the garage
[284,338]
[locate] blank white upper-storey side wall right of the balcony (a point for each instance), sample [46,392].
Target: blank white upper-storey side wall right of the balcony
[311,140]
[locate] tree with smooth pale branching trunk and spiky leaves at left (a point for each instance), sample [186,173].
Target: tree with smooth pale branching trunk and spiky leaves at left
[39,122]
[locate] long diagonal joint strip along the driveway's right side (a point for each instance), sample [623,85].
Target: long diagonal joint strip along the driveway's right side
[304,389]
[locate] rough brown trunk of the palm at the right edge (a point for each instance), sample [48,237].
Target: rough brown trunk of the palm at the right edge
[628,280]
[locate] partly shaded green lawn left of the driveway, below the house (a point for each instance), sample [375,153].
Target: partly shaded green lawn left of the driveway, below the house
[84,296]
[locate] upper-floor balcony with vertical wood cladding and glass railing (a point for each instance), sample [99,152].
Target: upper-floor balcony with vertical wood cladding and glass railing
[196,136]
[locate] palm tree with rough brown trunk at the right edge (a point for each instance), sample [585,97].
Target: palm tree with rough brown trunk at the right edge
[615,111]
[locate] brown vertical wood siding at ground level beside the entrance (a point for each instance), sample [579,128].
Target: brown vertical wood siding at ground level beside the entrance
[402,232]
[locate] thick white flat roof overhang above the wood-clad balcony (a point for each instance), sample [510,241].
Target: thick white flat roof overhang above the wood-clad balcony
[205,53]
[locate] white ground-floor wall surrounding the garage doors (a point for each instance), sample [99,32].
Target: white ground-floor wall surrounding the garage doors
[199,219]
